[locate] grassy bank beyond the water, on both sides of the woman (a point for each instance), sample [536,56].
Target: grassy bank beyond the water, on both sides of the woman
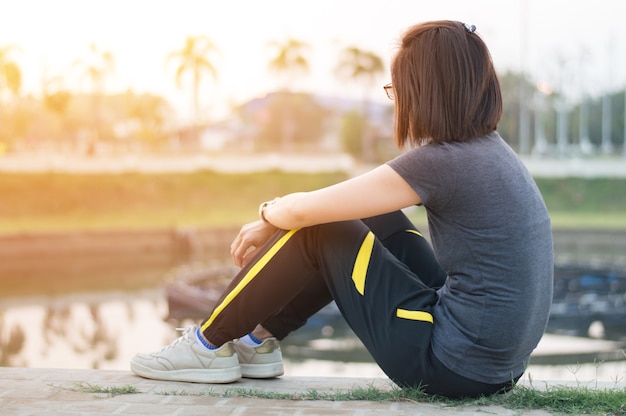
[67,202]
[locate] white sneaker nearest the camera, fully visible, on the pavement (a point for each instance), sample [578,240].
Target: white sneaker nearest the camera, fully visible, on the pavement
[185,360]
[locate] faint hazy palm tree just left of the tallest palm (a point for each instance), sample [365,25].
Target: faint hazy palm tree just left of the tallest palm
[95,69]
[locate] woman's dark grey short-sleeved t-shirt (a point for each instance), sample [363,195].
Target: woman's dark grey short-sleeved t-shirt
[491,233]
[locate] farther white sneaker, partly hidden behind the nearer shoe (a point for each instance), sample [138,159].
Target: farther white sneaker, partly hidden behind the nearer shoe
[264,361]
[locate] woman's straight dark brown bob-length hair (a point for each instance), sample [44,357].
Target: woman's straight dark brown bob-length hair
[446,88]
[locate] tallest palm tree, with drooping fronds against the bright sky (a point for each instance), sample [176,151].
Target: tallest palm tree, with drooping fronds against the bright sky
[194,57]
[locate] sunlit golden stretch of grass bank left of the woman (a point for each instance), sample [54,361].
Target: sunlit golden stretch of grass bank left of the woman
[65,202]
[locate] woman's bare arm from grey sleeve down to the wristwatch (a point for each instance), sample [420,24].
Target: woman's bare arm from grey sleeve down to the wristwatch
[376,192]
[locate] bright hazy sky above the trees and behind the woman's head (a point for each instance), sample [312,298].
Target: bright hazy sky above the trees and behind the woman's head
[570,44]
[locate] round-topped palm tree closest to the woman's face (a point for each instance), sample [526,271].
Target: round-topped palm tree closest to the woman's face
[363,67]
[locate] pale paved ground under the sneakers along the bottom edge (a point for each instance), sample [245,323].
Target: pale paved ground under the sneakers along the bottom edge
[28,391]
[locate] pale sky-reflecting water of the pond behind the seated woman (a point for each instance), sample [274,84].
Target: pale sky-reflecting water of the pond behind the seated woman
[105,329]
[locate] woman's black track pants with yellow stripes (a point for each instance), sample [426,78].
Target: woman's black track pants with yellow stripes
[381,273]
